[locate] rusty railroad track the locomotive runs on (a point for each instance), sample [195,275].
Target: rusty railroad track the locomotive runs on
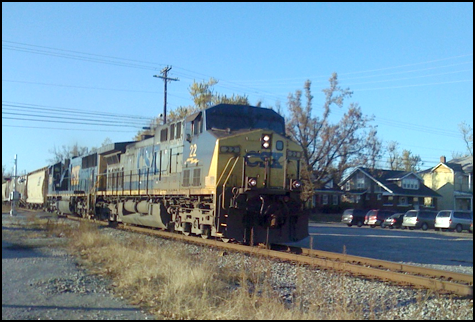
[403,274]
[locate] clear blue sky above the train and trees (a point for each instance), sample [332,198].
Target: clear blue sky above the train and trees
[408,64]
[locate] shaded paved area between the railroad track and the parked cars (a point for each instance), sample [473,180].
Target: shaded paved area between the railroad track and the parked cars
[416,246]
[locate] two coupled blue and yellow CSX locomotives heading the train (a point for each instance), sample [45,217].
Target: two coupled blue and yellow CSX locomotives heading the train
[228,172]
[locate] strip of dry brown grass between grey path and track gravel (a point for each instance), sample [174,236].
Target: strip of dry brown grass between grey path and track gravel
[174,284]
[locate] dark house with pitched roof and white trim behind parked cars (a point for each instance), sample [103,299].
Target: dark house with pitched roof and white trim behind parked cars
[366,188]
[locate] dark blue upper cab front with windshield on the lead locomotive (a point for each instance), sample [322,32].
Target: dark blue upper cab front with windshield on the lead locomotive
[239,117]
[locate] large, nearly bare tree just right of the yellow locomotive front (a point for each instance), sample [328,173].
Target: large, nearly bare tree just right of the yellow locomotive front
[330,148]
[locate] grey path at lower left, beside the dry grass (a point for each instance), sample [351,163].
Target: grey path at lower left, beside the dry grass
[40,281]
